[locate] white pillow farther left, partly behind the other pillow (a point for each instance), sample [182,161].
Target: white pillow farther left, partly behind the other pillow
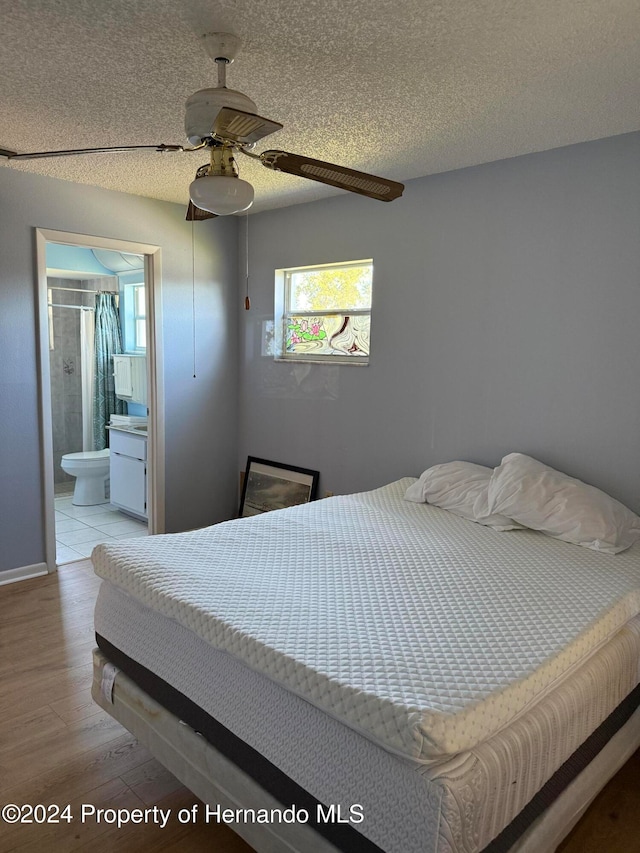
[462,488]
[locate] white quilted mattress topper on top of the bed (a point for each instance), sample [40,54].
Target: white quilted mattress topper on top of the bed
[423,631]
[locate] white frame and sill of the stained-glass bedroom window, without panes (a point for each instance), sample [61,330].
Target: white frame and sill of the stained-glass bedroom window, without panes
[283,313]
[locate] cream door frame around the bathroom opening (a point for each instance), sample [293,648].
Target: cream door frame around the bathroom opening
[155,374]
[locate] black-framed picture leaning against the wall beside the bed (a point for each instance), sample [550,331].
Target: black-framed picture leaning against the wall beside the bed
[271,485]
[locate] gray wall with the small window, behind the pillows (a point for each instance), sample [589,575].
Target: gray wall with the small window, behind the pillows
[506,308]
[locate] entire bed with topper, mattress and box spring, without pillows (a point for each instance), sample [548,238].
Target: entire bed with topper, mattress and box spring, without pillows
[365,673]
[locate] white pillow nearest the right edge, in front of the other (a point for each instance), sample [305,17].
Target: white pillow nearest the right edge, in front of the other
[560,506]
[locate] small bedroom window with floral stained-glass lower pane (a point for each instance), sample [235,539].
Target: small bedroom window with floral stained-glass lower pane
[324,313]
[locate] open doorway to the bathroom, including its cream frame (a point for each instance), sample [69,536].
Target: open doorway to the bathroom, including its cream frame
[80,520]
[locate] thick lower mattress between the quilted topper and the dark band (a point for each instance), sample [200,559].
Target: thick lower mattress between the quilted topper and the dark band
[459,805]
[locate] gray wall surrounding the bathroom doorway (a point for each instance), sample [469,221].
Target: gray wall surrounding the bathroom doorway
[201,474]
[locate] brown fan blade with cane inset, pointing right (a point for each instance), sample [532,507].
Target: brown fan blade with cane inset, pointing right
[336,176]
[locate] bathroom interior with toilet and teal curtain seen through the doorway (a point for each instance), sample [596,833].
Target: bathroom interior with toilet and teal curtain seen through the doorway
[80,284]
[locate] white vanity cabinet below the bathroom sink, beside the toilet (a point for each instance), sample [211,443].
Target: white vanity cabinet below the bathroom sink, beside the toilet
[128,472]
